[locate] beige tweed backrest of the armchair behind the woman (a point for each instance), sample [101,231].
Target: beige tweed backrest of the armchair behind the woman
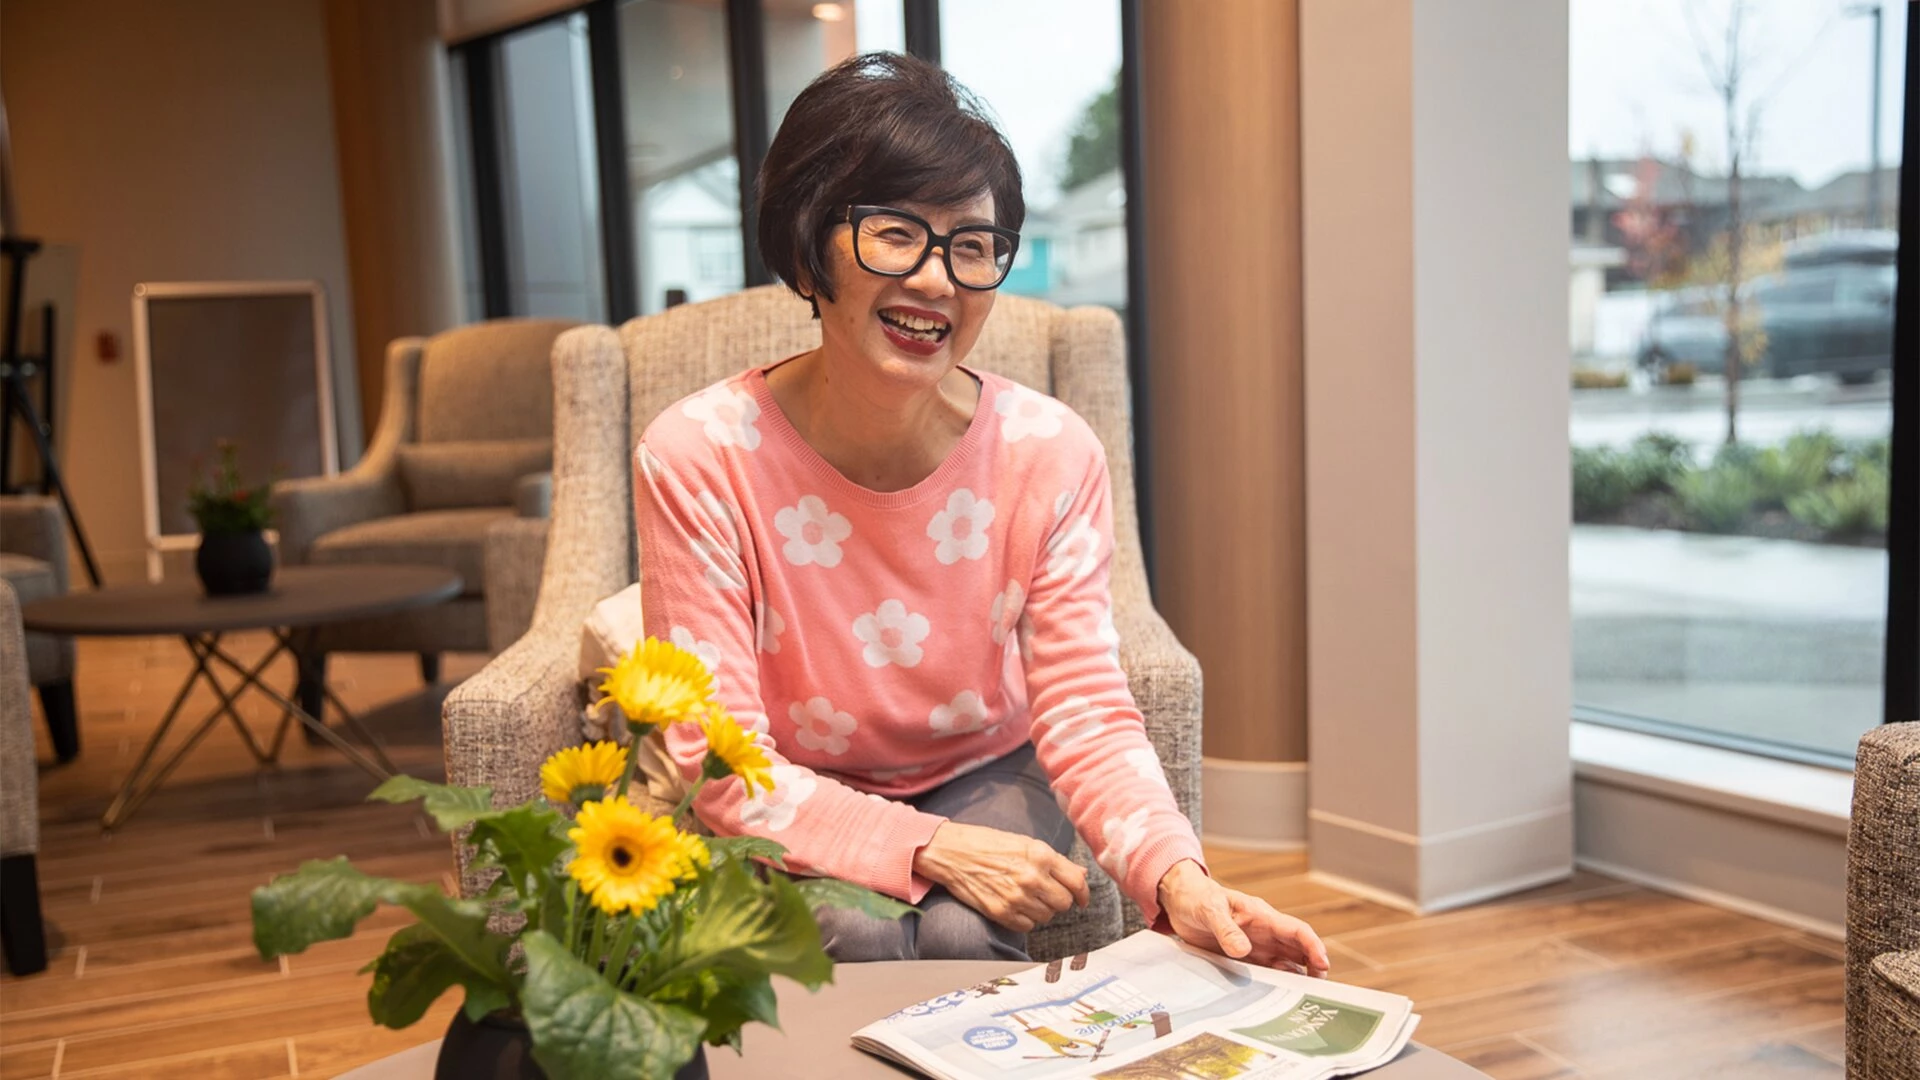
[1078,356]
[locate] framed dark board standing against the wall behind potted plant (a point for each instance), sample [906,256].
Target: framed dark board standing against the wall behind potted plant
[237,360]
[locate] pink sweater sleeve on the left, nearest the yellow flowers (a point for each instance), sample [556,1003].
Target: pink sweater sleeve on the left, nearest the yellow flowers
[698,593]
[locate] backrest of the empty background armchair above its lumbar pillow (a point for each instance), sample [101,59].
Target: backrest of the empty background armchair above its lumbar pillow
[489,381]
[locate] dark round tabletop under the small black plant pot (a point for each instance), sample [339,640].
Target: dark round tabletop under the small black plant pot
[299,597]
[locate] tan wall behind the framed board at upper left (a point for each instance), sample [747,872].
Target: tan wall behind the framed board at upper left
[181,141]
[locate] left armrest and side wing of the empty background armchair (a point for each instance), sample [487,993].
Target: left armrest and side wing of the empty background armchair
[312,506]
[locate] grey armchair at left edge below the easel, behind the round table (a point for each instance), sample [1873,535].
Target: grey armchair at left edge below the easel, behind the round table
[34,560]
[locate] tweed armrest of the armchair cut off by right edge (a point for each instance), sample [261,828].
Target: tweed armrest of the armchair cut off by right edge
[1883,871]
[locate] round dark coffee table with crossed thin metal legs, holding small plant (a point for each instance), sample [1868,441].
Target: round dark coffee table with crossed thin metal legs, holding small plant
[299,601]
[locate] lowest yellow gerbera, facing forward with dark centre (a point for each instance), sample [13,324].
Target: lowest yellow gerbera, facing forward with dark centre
[627,860]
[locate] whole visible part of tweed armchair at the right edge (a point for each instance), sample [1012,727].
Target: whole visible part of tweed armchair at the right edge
[1884,908]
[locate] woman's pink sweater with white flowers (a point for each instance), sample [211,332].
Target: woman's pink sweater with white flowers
[882,645]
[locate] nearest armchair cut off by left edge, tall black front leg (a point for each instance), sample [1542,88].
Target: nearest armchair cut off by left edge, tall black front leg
[22,931]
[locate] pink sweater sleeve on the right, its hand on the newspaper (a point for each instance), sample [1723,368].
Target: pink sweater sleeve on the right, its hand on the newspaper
[1088,731]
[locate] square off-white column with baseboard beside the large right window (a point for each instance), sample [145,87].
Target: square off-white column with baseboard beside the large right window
[1435,253]
